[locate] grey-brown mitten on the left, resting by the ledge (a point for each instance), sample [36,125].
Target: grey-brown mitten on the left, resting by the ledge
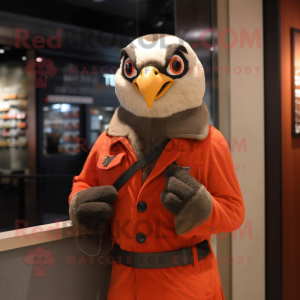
[91,208]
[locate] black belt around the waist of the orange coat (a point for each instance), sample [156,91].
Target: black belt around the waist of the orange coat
[180,257]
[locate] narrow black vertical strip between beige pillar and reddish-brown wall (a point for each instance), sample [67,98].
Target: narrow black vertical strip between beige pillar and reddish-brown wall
[273,181]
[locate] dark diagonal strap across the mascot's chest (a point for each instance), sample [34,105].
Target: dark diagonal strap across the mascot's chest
[139,165]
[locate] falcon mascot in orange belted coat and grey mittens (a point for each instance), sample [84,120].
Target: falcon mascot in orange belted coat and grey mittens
[161,177]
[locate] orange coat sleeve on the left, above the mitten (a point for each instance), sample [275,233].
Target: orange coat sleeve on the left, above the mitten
[89,174]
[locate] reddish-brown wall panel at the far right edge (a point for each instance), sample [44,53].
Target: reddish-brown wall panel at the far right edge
[290,11]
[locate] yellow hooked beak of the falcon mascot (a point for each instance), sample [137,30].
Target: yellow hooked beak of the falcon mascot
[152,84]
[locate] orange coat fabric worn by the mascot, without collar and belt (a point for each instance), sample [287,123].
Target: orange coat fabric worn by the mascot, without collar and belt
[211,164]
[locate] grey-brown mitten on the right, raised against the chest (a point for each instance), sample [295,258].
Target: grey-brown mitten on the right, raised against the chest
[186,198]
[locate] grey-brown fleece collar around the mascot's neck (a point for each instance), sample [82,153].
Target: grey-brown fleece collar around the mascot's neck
[192,123]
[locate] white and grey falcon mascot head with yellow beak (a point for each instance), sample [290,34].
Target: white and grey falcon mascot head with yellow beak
[159,75]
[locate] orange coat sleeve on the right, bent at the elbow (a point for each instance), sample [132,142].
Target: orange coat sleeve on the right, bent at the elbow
[220,180]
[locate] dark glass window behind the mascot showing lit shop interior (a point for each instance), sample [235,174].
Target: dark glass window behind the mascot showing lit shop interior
[83,40]
